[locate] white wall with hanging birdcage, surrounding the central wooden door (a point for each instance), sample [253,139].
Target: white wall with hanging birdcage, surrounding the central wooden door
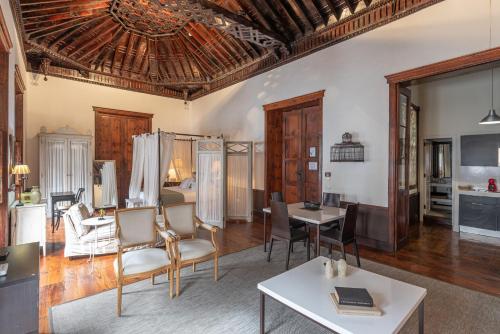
[356,98]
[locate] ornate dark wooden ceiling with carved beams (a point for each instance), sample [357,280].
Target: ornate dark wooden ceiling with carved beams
[187,48]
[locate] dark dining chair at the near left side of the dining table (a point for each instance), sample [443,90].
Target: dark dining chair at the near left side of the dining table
[281,230]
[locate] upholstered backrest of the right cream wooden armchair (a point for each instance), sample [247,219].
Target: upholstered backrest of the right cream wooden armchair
[180,218]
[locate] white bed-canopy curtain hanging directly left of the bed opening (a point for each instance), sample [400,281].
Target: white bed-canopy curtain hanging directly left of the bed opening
[151,185]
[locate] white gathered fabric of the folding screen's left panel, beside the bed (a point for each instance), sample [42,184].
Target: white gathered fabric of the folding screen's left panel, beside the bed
[210,193]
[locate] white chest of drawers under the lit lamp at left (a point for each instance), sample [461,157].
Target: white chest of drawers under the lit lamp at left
[28,224]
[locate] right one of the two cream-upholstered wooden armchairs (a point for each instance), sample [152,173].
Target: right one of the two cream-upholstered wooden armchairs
[182,223]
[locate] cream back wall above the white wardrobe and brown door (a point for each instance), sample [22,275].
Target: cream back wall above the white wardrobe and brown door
[59,102]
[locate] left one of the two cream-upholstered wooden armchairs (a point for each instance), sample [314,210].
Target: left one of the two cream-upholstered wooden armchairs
[136,233]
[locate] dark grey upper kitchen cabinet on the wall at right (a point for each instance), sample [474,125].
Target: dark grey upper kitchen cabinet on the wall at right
[479,150]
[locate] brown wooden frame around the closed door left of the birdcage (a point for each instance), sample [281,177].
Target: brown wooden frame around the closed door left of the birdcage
[283,106]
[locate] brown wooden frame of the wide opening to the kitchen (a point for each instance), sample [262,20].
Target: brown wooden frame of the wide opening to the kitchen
[403,78]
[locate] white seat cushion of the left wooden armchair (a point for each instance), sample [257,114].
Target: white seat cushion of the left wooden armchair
[142,260]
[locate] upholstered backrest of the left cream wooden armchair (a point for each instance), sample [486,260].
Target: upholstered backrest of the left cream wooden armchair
[136,226]
